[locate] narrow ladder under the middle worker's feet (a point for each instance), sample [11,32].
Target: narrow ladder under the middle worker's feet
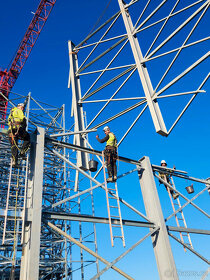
[113,208]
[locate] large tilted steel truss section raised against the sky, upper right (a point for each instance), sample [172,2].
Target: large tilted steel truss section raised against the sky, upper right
[141,58]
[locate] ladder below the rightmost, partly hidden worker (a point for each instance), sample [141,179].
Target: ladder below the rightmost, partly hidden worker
[179,217]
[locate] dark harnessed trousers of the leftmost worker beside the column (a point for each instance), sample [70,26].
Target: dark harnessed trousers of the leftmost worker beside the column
[14,135]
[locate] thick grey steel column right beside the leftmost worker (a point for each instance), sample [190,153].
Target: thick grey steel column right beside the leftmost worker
[31,241]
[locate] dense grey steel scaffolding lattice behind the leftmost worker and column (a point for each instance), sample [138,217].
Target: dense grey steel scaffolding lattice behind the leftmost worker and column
[56,254]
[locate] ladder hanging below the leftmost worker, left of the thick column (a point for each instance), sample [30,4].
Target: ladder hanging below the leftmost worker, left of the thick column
[15,205]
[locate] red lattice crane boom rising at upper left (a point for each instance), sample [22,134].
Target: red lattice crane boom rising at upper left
[9,76]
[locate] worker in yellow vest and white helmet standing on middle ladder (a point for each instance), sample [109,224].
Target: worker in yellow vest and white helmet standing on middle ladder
[110,153]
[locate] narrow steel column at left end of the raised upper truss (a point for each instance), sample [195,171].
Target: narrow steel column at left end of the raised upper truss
[76,109]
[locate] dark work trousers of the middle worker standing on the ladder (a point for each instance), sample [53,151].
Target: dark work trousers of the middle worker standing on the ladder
[110,154]
